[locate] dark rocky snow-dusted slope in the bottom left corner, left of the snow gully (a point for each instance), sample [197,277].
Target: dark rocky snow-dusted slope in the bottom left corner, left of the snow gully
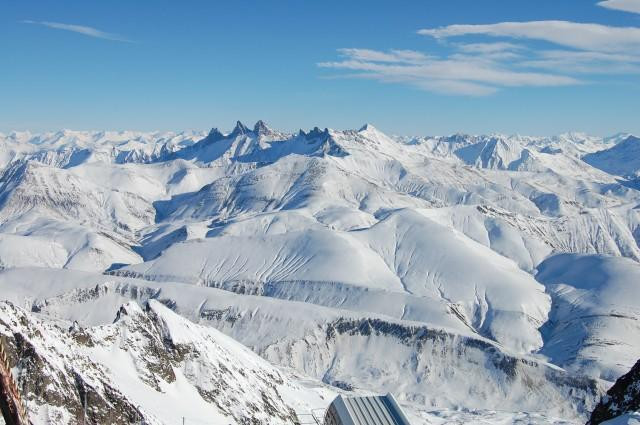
[57,382]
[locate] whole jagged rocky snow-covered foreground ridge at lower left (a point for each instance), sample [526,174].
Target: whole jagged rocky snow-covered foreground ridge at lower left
[149,365]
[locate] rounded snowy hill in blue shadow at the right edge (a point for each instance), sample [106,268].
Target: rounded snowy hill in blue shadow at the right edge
[594,325]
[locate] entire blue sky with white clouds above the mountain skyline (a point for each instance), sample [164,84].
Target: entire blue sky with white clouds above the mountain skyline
[408,67]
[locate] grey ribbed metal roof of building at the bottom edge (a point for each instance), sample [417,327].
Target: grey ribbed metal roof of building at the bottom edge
[377,410]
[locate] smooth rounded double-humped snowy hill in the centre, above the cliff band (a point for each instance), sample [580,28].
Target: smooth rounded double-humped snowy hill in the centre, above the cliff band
[491,295]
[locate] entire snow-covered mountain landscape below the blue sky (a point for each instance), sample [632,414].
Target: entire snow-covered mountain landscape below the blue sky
[460,272]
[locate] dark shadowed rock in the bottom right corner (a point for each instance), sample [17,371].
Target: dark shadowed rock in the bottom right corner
[623,399]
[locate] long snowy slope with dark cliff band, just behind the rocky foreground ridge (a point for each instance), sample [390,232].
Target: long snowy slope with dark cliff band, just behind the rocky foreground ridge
[425,366]
